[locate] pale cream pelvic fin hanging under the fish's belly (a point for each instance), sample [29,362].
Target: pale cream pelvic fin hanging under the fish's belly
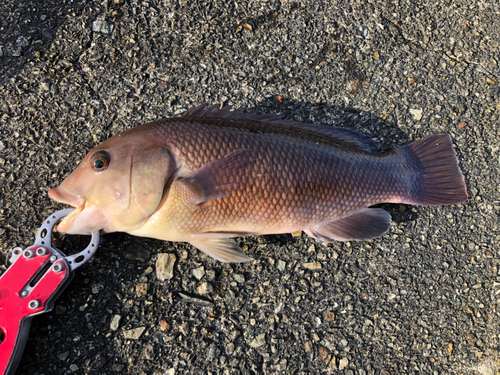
[223,249]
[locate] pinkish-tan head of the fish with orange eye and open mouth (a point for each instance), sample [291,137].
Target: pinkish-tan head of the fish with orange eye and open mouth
[118,185]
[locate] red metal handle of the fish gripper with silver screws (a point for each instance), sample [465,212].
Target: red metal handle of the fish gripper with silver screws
[27,288]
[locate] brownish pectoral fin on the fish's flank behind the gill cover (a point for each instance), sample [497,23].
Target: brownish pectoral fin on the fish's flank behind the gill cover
[220,177]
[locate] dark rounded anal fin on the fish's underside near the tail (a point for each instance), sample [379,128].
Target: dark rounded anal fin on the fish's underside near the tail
[364,224]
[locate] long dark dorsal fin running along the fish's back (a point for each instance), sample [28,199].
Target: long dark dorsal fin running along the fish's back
[346,136]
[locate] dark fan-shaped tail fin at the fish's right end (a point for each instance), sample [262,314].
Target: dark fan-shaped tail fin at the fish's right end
[440,180]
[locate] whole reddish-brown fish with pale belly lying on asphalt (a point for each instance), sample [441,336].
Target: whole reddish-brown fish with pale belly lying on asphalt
[214,174]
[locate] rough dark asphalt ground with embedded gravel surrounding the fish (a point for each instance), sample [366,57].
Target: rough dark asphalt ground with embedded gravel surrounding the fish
[422,298]
